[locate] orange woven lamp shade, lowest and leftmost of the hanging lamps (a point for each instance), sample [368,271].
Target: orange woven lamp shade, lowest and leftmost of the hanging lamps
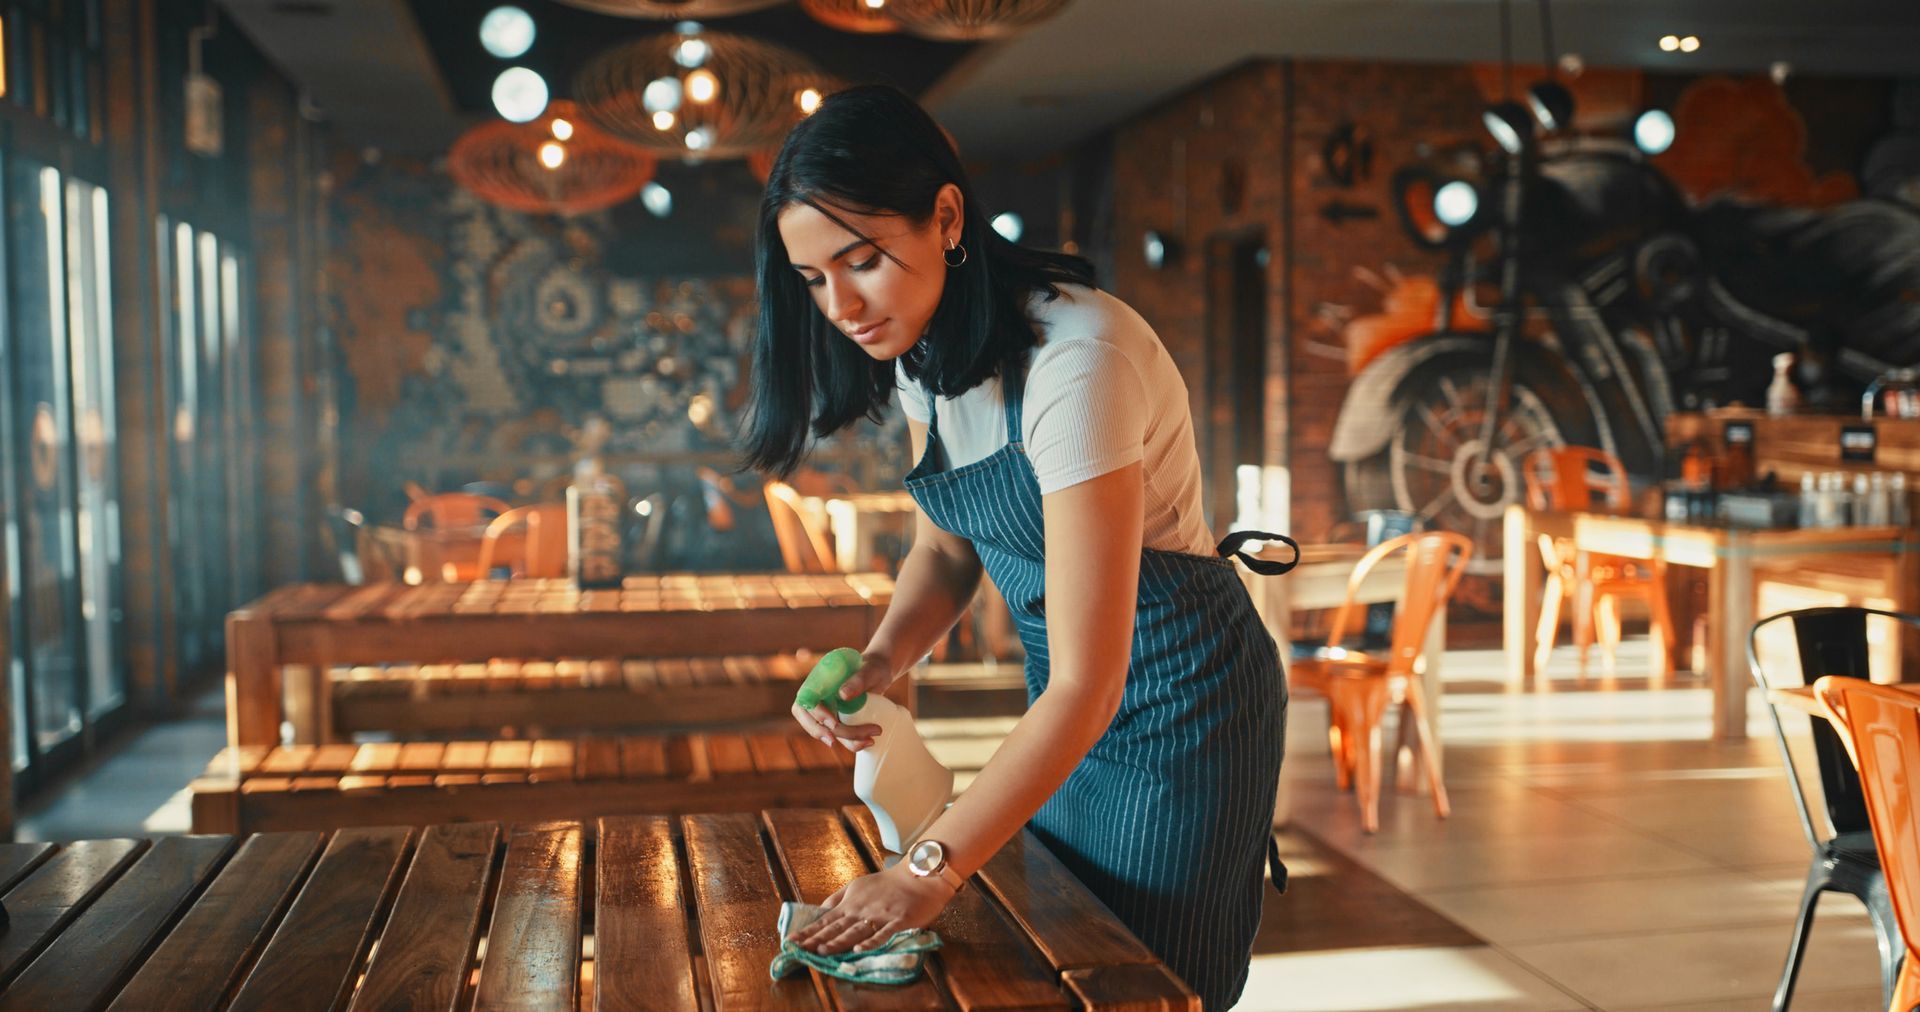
[502,164]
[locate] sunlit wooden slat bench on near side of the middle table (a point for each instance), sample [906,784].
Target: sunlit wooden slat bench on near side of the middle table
[423,783]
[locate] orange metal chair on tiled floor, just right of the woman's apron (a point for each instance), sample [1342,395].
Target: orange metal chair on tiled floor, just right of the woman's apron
[1360,687]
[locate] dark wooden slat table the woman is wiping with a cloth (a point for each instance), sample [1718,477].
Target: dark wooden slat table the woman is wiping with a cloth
[623,913]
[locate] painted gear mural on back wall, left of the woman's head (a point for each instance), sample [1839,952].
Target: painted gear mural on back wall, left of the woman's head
[487,347]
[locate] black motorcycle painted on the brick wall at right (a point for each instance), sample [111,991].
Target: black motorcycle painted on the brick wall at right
[1585,299]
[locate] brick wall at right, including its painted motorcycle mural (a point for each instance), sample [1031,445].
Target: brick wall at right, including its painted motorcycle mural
[1779,218]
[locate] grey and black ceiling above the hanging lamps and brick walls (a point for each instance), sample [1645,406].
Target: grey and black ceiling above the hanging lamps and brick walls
[418,76]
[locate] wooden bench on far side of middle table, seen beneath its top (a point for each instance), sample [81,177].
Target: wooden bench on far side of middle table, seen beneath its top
[690,692]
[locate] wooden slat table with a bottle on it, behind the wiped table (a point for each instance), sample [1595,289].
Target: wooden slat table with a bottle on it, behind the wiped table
[308,629]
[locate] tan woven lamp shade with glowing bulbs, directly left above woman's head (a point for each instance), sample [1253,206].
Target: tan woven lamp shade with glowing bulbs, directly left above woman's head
[756,105]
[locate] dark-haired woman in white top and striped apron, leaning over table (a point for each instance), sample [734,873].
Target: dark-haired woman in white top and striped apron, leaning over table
[1053,448]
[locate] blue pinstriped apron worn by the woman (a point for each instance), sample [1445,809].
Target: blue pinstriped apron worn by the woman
[1170,815]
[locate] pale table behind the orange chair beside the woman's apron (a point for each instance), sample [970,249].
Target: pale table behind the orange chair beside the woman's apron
[1320,583]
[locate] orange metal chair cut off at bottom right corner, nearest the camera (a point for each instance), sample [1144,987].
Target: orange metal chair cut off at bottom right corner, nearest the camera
[1883,733]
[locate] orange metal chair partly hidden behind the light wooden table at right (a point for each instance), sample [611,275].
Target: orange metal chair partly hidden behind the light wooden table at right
[1587,479]
